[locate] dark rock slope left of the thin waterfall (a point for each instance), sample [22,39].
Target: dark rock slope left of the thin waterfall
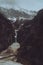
[6,32]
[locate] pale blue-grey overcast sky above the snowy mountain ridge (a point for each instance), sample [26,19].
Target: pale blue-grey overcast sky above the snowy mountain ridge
[26,4]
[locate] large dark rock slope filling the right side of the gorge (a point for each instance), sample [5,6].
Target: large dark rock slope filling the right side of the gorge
[30,37]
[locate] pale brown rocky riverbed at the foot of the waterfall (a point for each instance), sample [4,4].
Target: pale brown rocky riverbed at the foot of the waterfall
[7,57]
